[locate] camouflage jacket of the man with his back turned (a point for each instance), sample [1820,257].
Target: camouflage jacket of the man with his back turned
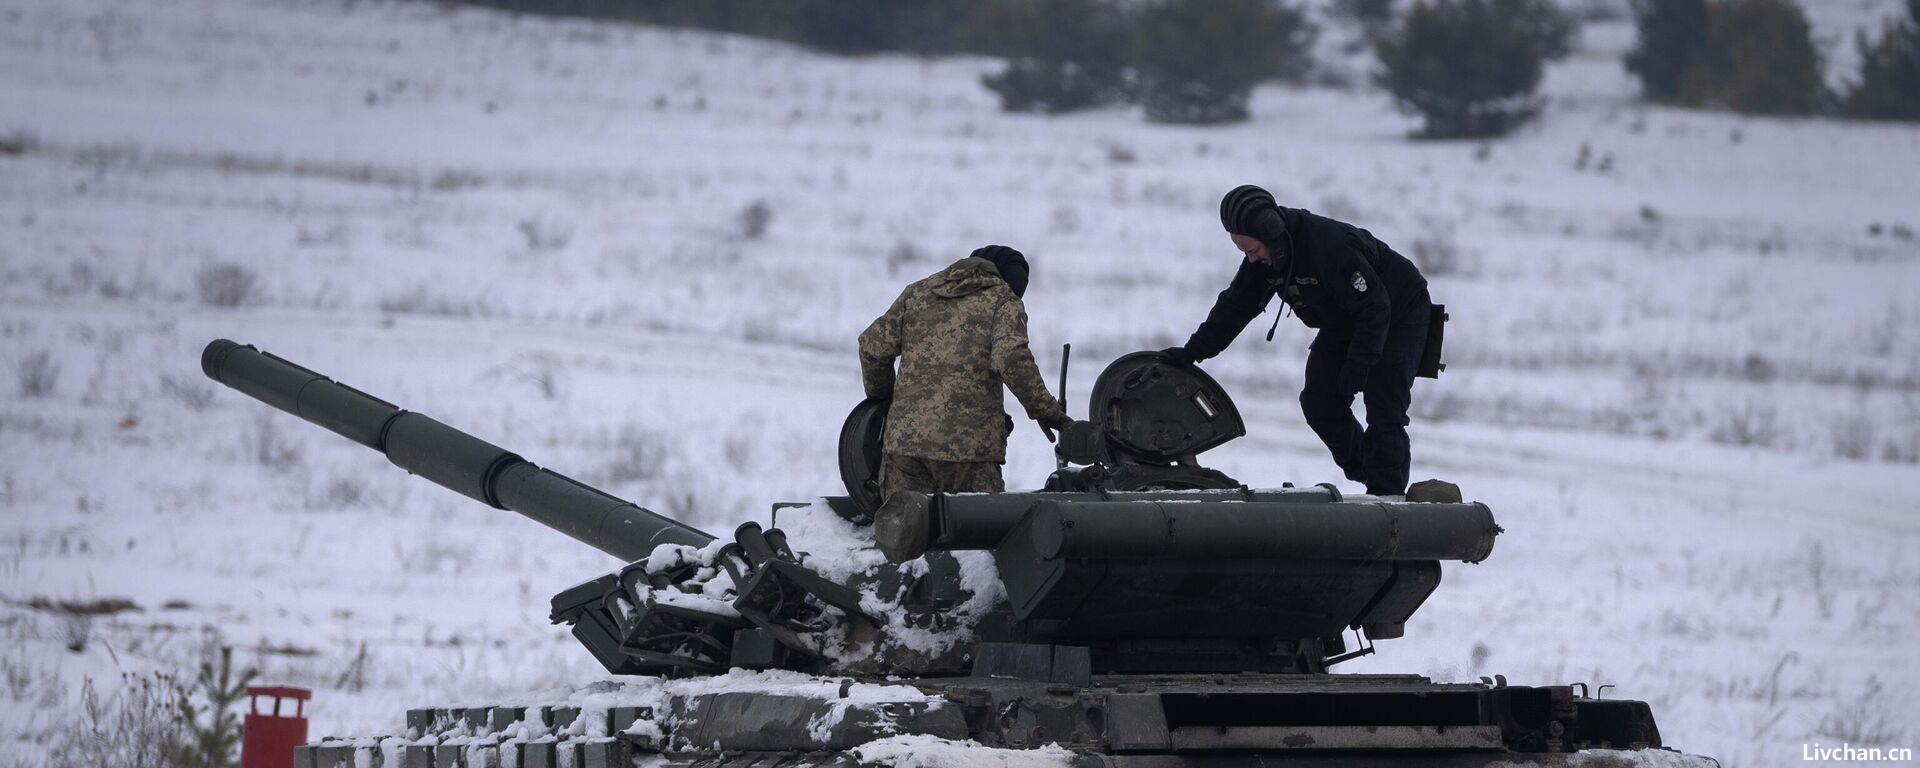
[959,335]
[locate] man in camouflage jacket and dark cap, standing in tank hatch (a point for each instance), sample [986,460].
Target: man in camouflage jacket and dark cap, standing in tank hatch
[961,337]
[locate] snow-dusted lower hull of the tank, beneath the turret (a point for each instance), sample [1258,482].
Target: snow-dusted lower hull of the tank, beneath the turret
[1157,721]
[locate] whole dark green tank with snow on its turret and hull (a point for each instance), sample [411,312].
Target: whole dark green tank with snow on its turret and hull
[1136,610]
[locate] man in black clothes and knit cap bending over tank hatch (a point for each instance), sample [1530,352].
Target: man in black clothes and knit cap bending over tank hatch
[1370,308]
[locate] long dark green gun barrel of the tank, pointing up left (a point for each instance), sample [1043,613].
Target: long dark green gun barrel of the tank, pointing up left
[448,458]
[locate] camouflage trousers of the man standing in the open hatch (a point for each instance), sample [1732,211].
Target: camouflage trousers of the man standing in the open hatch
[901,527]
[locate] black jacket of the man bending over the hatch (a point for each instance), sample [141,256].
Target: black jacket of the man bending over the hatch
[1332,274]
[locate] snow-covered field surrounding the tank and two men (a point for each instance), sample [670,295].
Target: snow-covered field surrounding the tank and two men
[1685,360]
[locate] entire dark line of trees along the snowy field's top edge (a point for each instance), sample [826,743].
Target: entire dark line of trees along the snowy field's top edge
[1470,68]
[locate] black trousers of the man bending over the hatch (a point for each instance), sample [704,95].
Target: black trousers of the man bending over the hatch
[1380,454]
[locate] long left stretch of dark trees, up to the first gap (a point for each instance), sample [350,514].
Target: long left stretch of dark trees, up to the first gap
[1182,60]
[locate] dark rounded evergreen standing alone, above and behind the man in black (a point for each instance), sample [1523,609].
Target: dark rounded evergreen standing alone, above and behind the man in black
[1472,66]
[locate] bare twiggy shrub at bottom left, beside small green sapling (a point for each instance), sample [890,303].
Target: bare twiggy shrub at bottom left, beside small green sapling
[141,727]
